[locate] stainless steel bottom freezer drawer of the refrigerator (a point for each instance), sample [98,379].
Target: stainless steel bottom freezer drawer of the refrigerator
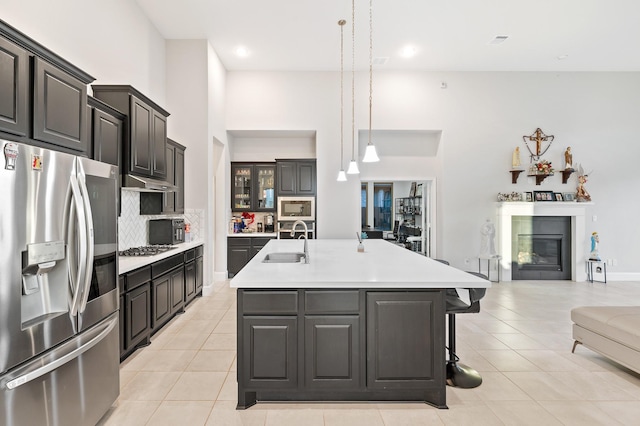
[77,392]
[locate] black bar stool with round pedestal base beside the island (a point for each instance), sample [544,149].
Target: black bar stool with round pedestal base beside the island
[458,374]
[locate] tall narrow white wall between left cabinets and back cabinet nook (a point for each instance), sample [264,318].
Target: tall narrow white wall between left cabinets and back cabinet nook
[195,95]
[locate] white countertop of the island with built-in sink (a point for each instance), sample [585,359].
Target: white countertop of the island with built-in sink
[337,264]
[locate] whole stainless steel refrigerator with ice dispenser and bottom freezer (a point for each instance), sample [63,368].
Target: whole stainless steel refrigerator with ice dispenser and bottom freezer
[59,334]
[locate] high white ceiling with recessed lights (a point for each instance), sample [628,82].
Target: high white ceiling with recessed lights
[448,35]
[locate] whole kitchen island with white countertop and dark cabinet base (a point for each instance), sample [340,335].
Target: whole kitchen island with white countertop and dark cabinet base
[347,326]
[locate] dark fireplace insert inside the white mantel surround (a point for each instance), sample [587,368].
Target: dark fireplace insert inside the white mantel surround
[540,248]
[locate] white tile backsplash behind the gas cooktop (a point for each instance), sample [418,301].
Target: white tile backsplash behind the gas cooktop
[133,230]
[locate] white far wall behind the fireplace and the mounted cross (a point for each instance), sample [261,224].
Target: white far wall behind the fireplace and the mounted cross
[483,117]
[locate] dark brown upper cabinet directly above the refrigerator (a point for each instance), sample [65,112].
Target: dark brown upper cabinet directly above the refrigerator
[43,97]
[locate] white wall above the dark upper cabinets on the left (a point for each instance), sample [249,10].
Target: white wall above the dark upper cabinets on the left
[111,40]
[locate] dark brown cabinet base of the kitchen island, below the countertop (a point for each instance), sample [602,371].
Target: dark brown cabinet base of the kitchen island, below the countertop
[351,345]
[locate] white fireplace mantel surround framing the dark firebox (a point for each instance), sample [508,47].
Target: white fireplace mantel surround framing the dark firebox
[506,210]
